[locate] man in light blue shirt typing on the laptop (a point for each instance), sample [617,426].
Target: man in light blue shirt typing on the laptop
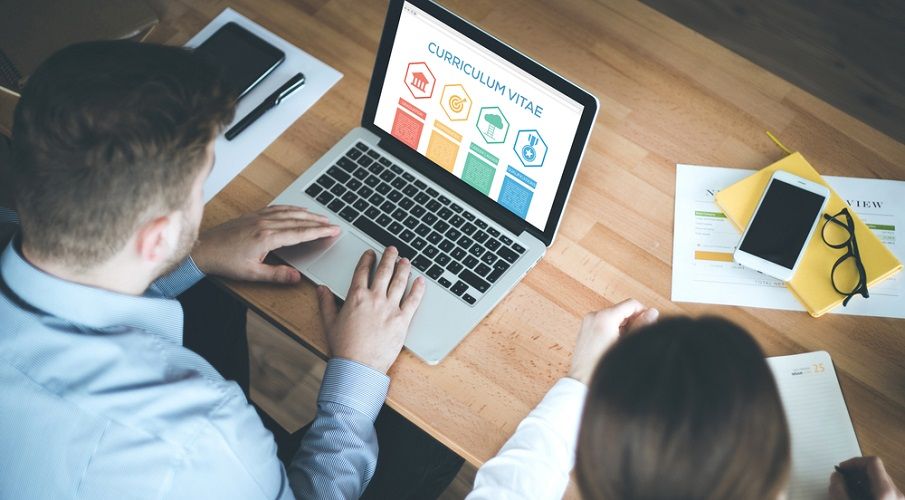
[112,142]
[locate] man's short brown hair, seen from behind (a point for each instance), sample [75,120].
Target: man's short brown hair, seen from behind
[106,136]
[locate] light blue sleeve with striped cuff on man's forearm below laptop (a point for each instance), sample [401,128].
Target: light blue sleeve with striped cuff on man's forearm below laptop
[338,455]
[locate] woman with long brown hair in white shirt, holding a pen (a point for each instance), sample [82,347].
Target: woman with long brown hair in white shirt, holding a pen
[683,408]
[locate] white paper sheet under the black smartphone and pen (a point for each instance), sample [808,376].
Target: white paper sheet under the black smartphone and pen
[233,156]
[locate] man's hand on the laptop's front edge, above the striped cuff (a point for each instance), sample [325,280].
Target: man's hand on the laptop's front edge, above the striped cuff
[372,324]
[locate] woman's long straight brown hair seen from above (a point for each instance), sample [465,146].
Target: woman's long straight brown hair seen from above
[683,409]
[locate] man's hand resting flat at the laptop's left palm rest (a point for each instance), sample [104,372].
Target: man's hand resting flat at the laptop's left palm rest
[236,249]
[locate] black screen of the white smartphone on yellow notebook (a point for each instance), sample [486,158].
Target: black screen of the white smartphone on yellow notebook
[782,223]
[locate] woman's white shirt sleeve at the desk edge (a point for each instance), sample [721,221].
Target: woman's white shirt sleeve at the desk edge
[536,461]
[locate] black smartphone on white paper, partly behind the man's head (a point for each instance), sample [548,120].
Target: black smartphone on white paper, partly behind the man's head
[245,57]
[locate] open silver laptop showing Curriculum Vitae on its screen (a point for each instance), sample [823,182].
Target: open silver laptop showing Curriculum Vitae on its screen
[464,161]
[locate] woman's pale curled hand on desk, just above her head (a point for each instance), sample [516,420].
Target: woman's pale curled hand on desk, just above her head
[601,329]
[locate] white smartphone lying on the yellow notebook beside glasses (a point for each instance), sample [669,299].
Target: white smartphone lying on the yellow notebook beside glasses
[782,225]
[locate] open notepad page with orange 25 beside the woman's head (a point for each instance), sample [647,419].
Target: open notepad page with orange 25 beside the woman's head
[819,423]
